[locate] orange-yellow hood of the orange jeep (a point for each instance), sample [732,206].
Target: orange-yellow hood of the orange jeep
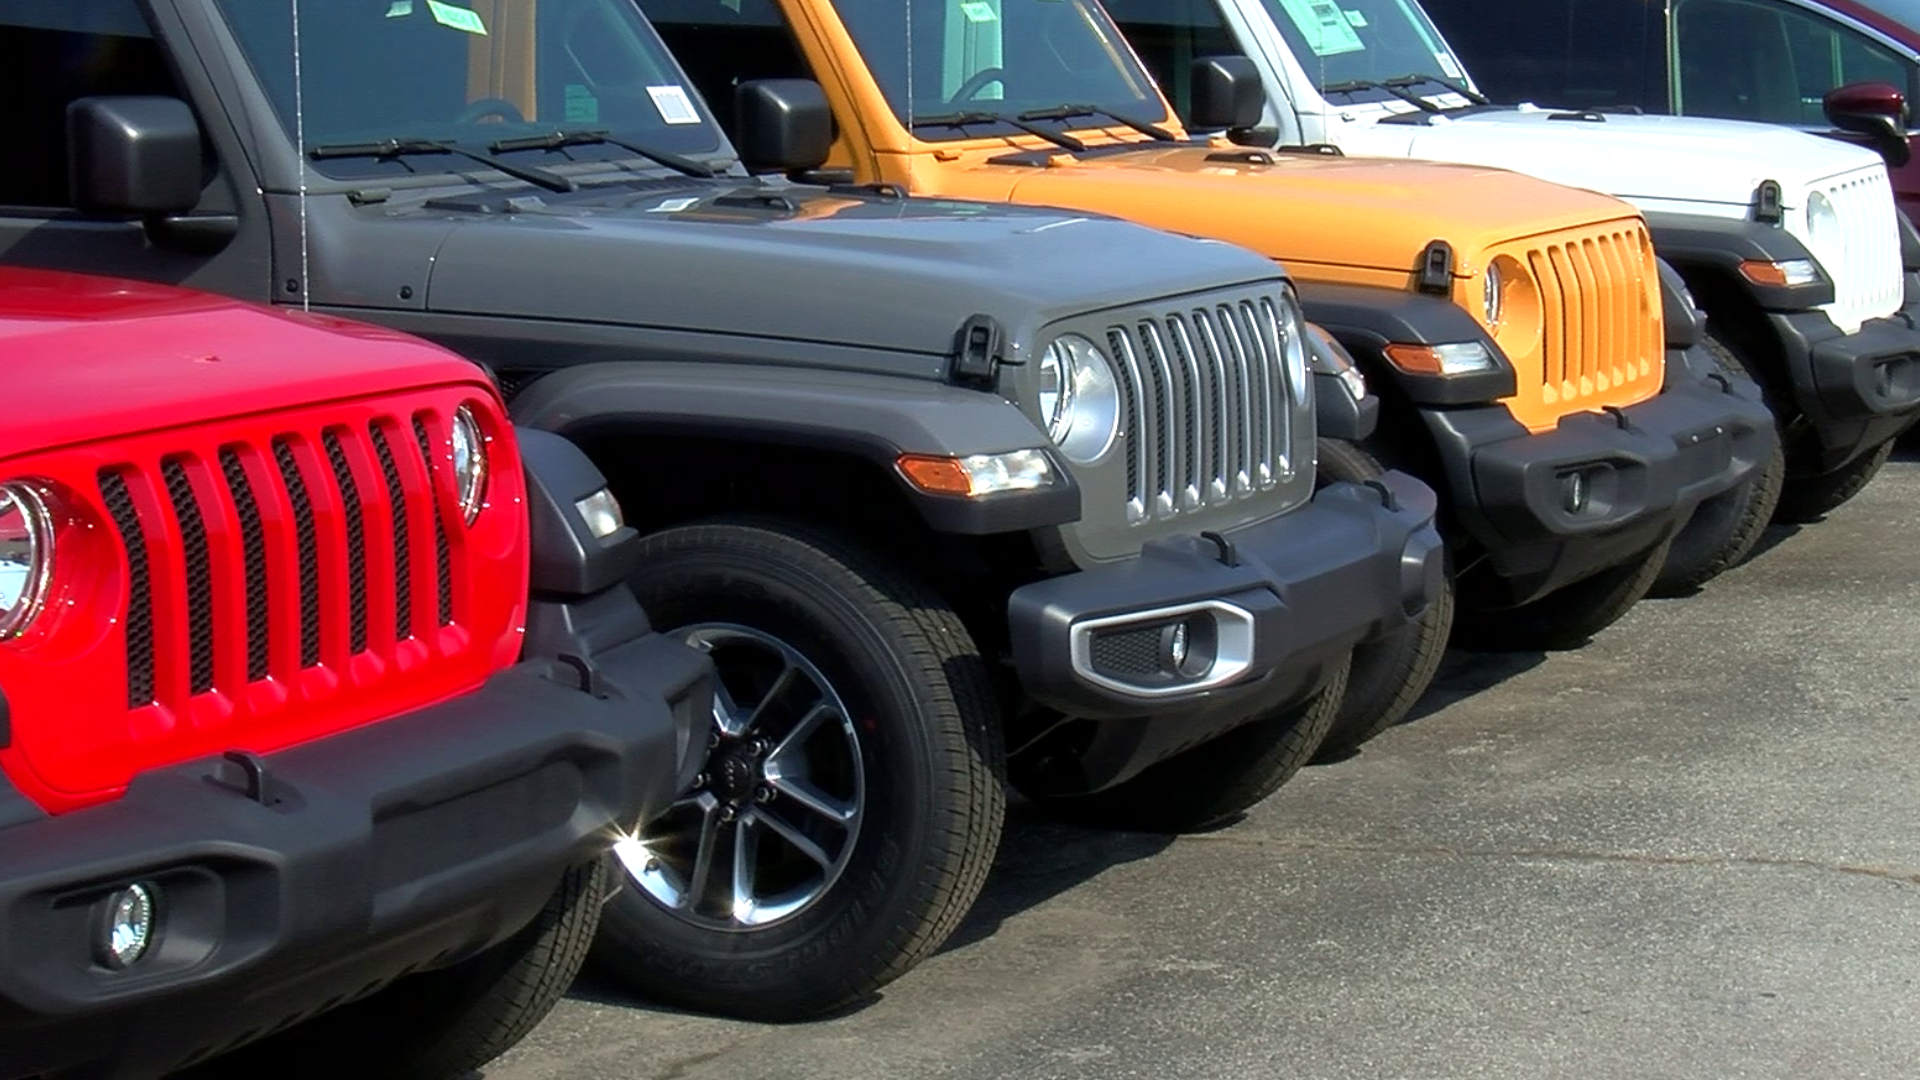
[1307,210]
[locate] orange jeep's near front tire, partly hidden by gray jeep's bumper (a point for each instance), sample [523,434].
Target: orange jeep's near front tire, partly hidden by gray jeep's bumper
[1387,677]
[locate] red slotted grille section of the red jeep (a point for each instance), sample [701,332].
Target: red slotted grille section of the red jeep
[339,504]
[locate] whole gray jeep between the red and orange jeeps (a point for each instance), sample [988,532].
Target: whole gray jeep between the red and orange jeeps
[949,493]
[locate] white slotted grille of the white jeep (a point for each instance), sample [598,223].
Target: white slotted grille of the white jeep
[1865,260]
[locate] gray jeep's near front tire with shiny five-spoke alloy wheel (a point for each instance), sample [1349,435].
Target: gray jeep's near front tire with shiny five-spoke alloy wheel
[853,793]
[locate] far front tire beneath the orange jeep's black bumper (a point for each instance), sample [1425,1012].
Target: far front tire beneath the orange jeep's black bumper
[1568,618]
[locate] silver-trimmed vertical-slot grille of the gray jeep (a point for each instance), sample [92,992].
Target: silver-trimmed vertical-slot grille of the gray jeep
[1205,406]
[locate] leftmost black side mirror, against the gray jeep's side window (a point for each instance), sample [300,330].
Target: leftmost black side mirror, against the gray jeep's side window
[135,157]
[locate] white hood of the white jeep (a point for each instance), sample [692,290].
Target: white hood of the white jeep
[1643,159]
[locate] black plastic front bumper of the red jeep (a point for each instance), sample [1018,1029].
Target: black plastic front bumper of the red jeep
[406,845]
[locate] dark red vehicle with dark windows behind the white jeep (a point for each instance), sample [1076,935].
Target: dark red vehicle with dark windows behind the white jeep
[1810,64]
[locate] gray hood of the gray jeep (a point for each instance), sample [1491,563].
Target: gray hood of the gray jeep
[809,264]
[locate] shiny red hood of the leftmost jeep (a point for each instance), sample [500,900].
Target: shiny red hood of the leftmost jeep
[95,358]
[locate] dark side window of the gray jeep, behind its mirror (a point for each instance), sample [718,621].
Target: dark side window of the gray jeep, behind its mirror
[59,51]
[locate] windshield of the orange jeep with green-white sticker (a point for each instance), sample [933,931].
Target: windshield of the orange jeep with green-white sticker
[1009,57]
